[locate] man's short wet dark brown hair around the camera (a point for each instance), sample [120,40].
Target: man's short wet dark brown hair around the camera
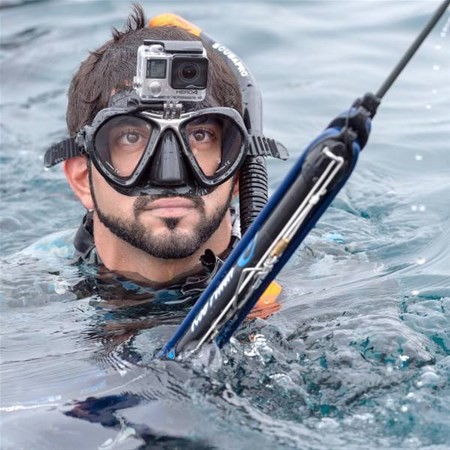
[111,68]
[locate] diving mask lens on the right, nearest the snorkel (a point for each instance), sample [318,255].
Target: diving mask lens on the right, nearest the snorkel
[215,142]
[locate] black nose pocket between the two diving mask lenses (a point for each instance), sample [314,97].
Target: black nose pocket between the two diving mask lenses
[167,166]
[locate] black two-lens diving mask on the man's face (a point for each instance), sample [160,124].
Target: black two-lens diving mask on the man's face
[141,151]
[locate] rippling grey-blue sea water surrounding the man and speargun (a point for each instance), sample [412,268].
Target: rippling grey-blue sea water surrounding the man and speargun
[358,356]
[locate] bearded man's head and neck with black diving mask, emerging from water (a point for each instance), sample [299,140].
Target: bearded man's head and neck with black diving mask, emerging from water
[157,183]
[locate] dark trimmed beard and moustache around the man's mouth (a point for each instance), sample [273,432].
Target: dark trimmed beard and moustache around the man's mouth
[176,244]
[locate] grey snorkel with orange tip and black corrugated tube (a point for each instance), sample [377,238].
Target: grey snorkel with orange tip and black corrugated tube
[253,178]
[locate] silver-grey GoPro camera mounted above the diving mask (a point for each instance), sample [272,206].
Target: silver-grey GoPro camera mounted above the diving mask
[171,71]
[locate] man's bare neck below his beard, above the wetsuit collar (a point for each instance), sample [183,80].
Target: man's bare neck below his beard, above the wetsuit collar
[119,256]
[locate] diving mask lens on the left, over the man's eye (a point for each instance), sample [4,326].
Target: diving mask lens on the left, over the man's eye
[121,142]
